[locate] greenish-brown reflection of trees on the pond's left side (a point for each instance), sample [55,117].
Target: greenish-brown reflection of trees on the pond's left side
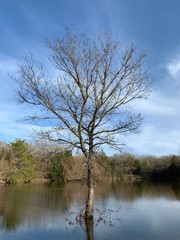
[30,203]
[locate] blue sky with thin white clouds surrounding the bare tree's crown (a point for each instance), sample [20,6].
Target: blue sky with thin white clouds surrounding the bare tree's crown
[152,25]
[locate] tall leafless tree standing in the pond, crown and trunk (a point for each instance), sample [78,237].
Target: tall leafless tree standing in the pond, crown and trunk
[88,103]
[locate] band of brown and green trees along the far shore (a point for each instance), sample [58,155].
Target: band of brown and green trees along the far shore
[44,162]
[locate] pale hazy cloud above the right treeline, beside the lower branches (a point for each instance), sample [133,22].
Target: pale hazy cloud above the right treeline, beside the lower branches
[160,130]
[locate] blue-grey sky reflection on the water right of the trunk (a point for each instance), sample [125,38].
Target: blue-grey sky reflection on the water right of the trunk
[143,219]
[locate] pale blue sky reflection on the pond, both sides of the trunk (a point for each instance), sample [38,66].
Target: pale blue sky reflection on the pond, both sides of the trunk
[147,218]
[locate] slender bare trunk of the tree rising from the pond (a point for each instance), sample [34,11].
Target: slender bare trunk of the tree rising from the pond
[90,197]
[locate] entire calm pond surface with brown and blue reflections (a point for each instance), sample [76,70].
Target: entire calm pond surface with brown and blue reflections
[123,211]
